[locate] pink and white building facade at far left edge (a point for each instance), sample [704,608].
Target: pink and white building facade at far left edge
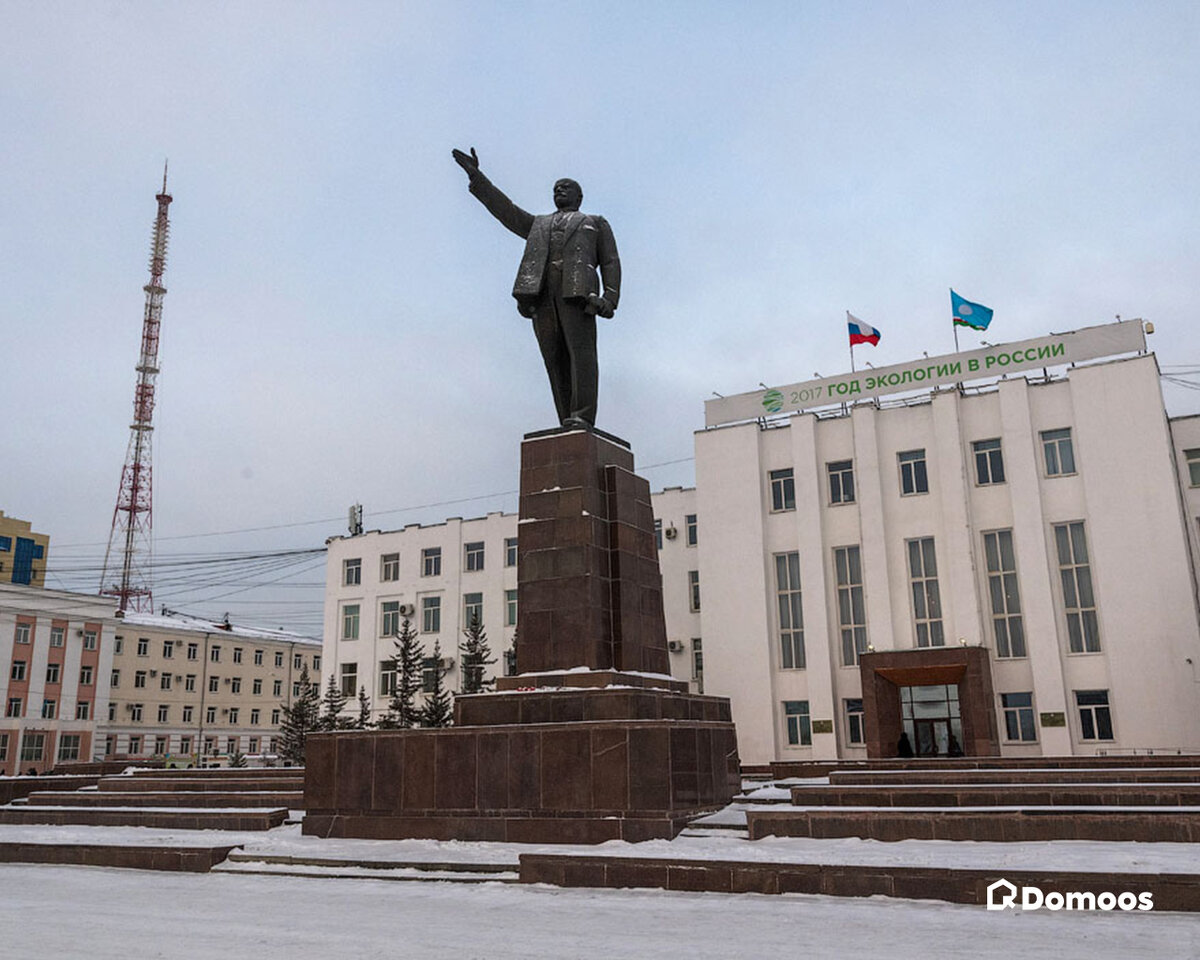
[56,653]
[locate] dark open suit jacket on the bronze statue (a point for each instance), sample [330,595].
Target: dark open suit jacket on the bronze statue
[589,245]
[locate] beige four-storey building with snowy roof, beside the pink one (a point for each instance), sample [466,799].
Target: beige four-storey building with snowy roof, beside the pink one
[183,687]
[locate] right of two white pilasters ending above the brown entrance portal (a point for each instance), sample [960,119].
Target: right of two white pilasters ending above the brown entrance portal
[957,563]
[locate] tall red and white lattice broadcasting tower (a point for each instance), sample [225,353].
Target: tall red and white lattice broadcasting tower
[130,548]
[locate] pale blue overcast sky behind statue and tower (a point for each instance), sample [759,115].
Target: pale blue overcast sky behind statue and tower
[339,325]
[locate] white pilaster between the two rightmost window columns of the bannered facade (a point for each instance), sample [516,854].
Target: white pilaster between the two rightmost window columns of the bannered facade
[1034,571]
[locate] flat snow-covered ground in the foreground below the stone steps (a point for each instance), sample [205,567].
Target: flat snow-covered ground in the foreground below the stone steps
[116,915]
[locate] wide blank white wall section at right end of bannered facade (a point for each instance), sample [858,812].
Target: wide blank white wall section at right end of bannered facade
[1138,550]
